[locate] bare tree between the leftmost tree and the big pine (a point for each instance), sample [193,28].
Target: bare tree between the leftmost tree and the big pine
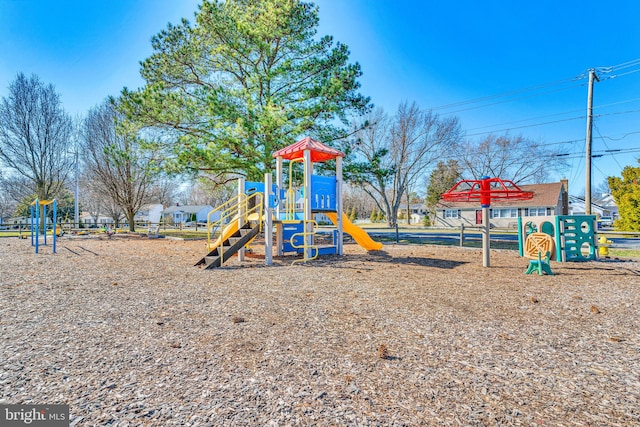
[114,159]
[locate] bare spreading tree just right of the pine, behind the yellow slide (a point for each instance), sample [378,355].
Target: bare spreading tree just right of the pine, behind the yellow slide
[391,155]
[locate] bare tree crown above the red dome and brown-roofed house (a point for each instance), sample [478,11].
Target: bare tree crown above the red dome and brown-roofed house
[515,158]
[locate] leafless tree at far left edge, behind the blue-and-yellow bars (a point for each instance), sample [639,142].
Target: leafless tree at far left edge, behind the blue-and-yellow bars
[36,136]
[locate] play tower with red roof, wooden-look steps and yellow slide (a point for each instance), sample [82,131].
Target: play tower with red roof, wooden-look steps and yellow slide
[263,206]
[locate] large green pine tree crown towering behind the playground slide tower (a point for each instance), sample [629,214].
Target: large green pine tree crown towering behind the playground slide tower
[248,78]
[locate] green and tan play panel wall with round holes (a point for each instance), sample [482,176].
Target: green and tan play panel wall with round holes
[574,237]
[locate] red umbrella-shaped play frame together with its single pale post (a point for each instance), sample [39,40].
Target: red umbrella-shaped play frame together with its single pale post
[485,190]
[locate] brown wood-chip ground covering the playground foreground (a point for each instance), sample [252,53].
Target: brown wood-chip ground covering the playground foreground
[127,330]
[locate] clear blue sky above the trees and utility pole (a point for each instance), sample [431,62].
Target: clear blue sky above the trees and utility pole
[435,53]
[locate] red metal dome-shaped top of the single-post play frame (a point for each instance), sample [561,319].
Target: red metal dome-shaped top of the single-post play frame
[485,190]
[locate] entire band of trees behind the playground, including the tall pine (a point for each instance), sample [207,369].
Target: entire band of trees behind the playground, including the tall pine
[220,96]
